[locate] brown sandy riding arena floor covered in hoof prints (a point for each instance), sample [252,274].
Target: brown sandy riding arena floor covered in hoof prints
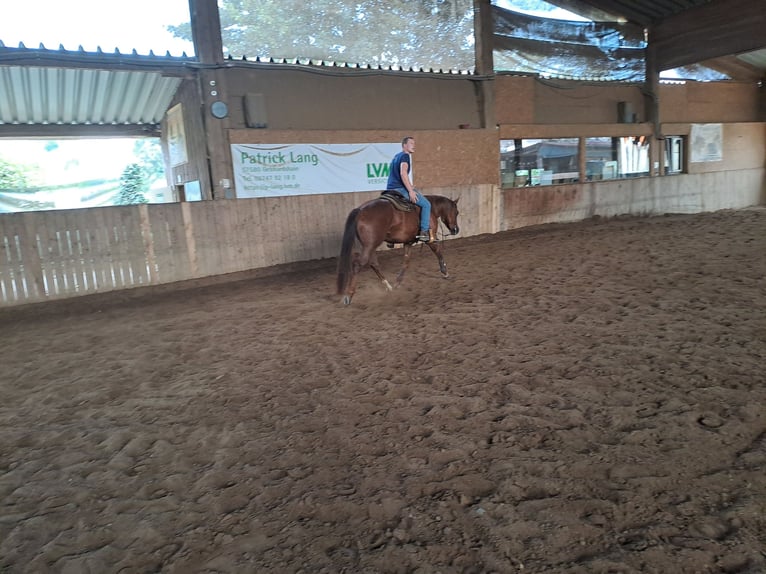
[582,398]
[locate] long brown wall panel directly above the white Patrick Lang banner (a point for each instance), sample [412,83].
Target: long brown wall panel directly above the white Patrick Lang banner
[341,99]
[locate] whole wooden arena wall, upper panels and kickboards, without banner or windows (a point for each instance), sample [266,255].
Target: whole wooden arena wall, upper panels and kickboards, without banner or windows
[59,254]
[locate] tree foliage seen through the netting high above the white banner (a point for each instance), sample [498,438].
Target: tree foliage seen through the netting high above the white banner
[405,33]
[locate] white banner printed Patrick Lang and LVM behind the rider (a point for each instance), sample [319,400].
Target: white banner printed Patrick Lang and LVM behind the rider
[265,170]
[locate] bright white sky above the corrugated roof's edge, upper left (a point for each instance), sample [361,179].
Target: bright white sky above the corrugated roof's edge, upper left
[138,24]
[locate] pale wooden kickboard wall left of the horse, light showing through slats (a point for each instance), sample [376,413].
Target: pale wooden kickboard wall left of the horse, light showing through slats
[55,254]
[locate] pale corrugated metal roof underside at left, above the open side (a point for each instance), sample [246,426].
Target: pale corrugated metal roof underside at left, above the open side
[39,95]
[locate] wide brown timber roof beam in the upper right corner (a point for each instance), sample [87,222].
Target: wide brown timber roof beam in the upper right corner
[719,28]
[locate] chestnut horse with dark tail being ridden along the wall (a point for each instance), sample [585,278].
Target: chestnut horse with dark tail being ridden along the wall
[379,220]
